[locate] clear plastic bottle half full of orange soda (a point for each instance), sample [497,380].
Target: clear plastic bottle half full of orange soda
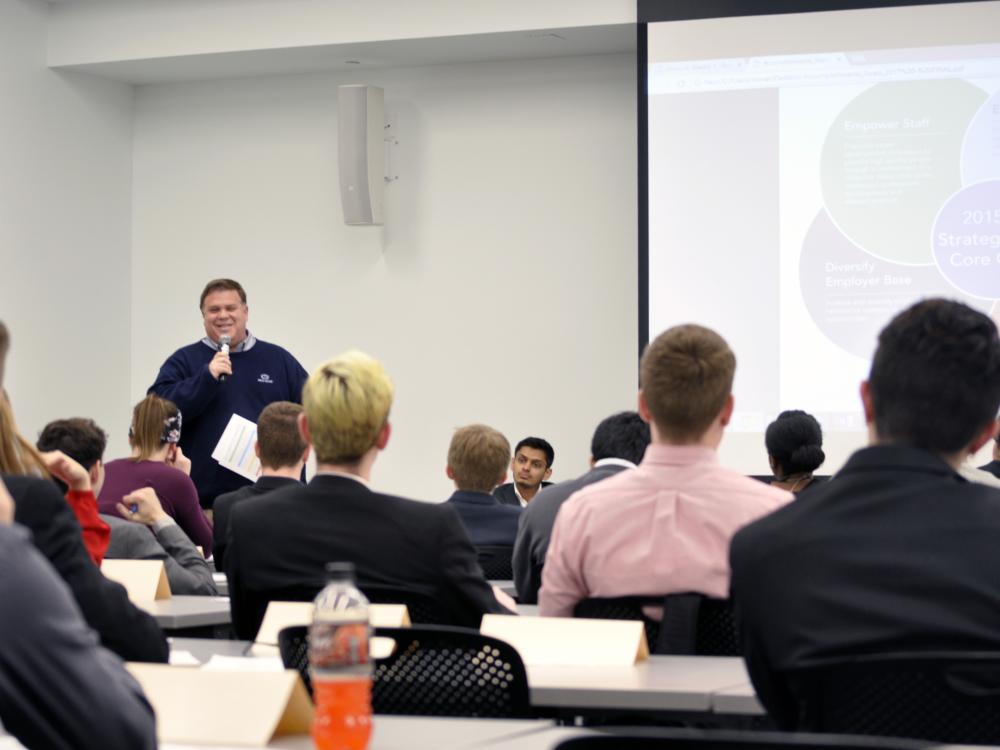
[339,665]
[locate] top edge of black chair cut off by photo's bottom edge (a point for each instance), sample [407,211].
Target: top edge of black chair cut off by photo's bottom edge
[656,738]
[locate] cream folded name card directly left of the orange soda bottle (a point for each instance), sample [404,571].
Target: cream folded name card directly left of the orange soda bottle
[246,708]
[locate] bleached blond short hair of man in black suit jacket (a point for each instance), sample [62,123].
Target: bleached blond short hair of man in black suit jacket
[346,401]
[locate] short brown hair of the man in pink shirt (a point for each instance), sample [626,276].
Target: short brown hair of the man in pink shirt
[686,374]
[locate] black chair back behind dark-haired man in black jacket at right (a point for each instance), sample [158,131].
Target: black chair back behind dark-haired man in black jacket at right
[942,697]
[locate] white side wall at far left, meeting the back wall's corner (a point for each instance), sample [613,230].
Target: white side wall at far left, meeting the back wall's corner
[65,182]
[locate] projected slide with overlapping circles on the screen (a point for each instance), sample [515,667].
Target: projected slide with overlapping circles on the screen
[845,185]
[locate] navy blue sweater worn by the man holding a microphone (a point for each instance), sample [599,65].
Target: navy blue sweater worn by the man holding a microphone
[261,375]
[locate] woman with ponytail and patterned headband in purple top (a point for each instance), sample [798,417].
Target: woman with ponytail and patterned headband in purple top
[157,462]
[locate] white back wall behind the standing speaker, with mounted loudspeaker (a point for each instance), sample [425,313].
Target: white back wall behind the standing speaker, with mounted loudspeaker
[502,288]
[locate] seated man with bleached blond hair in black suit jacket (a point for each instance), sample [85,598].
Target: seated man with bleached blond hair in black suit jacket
[285,538]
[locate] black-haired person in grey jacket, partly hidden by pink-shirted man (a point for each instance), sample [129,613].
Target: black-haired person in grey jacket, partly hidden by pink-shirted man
[619,443]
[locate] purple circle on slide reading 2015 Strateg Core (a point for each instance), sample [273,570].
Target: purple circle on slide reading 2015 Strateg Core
[966,239]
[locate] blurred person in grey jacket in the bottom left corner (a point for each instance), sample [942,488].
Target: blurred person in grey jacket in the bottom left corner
[59,690]
